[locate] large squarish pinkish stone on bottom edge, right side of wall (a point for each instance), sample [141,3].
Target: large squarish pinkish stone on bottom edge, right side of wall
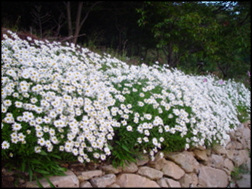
[211,177]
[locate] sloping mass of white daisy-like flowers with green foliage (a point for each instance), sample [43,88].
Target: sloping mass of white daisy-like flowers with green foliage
[61,102]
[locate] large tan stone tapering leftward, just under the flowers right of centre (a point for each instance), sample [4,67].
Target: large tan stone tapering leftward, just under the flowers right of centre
[186,160]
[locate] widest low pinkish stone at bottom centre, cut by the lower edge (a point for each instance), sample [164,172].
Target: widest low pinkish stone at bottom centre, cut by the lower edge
[134,180]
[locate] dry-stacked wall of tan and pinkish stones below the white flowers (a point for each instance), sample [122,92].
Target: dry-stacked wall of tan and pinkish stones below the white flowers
[193,168]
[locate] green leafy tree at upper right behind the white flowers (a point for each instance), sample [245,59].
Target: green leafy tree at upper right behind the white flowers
[213,32]
